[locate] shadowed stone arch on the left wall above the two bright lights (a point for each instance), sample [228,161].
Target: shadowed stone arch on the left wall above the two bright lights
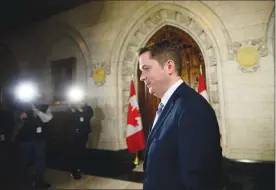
[57,31]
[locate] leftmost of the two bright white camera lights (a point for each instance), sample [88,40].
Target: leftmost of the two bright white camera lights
[26,92]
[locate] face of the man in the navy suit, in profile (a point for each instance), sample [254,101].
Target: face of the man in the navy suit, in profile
[153,74]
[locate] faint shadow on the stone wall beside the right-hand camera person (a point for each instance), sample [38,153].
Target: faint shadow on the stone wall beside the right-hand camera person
[96,128]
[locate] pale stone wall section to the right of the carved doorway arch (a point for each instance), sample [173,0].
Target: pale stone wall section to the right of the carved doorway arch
[249,95]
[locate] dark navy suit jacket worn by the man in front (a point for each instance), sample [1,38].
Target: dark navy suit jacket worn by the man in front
[183,149]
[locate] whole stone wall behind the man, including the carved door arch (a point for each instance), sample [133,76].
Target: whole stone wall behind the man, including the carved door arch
[105,35]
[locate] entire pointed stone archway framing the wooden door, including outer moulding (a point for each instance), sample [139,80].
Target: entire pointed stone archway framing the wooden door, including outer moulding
[206,30]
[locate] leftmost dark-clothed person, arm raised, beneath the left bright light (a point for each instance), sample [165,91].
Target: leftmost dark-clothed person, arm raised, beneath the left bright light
[29,133]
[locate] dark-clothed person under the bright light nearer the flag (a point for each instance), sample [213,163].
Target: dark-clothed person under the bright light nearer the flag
[80,115]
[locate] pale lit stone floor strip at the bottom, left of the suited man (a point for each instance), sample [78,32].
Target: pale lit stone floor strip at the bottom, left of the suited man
[62,180]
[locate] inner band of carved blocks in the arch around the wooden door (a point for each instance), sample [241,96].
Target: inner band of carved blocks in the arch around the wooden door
[183,19]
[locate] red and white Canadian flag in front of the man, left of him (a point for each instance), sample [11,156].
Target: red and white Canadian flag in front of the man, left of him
[134,134]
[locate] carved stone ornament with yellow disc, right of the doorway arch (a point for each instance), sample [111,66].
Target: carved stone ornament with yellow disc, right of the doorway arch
[247,54]
